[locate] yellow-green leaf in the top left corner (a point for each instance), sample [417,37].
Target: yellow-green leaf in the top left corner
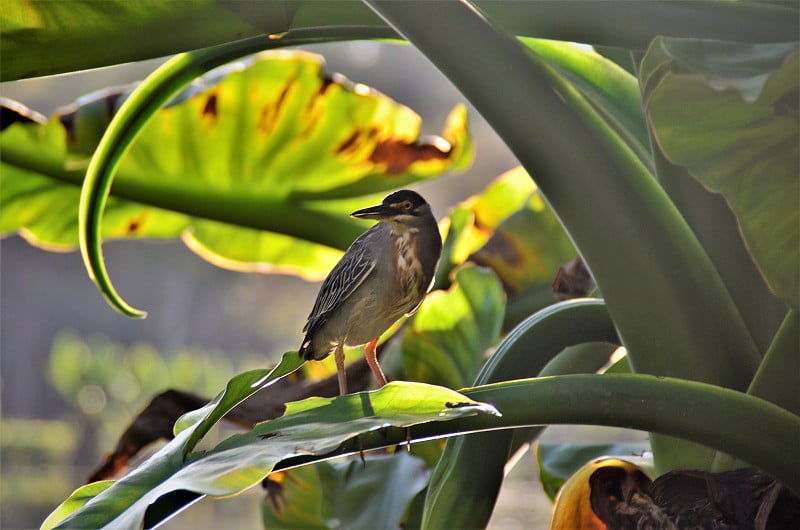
[128,32]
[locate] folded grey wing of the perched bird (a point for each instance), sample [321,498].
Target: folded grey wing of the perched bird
[342,281]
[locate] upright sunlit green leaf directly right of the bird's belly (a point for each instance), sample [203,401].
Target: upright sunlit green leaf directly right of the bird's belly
[450,333]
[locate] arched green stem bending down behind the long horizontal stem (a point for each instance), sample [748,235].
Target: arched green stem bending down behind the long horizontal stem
[525,352]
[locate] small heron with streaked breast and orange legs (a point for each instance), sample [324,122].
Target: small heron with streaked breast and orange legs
[384,275]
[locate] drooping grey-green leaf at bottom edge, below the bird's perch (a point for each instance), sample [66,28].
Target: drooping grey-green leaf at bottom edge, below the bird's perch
[346,494]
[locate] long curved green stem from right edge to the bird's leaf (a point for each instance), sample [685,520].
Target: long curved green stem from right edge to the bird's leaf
[717,417]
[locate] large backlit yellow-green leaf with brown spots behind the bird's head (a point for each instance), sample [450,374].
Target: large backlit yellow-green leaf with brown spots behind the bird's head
[268,135]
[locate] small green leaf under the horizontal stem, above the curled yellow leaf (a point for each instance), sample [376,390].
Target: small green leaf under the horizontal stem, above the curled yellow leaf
[557,462]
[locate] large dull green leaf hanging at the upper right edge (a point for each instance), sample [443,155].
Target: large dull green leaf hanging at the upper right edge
[728,113]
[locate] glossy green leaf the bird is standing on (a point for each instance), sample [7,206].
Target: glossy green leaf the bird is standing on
[315,426]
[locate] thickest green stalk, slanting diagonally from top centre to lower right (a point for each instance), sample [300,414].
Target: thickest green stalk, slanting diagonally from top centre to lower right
[671,308]
